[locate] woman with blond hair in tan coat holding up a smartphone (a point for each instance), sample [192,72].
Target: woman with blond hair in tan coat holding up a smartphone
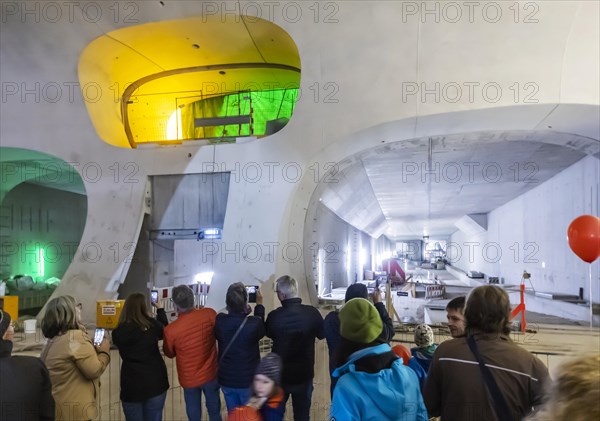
[74,363]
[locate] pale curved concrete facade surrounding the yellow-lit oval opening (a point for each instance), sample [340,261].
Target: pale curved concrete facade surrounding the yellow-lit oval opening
[367,52]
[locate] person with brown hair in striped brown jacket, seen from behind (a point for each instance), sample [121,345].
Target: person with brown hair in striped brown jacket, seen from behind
[484,375]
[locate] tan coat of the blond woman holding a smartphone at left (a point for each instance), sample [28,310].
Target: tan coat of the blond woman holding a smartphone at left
[75,369]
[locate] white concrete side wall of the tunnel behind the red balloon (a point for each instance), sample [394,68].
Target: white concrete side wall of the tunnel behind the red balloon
[530,233]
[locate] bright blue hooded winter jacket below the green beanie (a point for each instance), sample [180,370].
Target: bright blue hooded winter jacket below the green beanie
[392,393]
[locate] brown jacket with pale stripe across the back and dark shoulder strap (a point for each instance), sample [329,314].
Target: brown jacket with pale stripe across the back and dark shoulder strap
[455,388]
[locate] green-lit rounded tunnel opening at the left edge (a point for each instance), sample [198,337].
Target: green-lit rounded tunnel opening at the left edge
[43,209]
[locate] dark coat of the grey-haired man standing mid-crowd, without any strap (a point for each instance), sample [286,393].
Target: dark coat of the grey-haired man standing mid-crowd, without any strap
[293,328]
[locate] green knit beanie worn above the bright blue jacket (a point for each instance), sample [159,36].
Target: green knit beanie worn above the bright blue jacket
[360,321]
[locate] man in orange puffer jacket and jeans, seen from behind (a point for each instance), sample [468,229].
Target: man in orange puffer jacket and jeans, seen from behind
[191,338]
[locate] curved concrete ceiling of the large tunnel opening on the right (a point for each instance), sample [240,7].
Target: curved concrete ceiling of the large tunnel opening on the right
[408,189]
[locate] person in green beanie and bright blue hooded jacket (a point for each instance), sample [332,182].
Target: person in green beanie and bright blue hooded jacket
[373,384]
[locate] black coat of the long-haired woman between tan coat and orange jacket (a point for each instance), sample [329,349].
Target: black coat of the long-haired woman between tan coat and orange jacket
[143,372]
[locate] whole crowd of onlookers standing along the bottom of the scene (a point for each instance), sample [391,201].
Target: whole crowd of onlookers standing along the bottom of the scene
[479,374]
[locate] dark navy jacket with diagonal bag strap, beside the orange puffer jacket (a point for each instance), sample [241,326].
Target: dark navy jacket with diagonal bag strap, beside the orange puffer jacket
[236,369]
